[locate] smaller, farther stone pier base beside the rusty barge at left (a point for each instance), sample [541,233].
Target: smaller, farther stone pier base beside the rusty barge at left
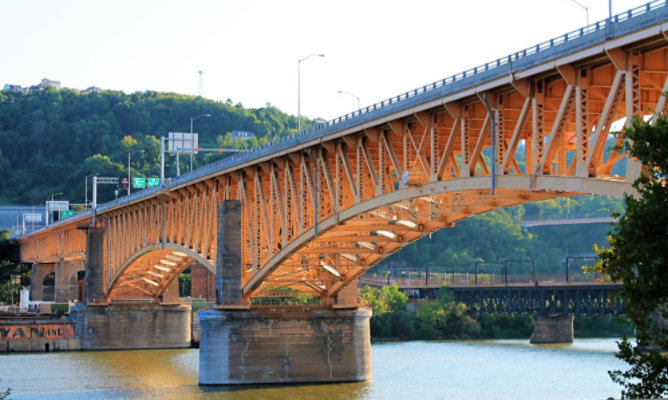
[132,326]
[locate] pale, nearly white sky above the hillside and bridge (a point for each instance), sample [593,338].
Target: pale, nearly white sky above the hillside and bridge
[248,49]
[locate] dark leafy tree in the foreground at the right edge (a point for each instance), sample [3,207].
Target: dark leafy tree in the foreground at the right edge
[638,256]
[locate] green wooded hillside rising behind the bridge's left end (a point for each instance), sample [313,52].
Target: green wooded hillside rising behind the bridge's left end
[52,139]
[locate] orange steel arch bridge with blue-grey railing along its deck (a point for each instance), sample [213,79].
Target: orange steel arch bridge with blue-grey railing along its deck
[321,207]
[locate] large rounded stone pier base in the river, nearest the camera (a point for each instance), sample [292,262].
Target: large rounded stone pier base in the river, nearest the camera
[284,345]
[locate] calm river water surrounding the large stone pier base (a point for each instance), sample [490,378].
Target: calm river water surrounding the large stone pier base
[494,369]
